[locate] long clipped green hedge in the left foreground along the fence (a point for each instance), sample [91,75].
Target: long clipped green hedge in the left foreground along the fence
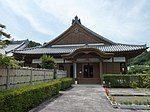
[25,98]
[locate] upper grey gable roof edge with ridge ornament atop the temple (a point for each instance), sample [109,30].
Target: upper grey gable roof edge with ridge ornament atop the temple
[77,21]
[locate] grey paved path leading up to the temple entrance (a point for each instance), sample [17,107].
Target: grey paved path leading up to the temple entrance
[82,98]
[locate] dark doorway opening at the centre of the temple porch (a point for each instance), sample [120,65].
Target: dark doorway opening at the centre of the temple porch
[88,71]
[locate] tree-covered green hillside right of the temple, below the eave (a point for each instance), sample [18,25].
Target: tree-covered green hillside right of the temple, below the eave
[140,60]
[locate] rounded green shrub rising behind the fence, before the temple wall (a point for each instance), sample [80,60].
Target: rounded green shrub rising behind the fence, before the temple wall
[48,62]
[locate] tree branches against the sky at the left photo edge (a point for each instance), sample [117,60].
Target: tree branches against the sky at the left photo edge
[6,36]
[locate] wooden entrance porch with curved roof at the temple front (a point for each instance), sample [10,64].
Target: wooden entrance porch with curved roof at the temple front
[86,67]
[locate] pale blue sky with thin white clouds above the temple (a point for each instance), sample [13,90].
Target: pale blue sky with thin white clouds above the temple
[123,21]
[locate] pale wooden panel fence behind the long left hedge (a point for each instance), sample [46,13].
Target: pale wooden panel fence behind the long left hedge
[13,78]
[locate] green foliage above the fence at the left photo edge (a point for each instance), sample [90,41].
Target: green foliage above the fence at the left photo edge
[6,61]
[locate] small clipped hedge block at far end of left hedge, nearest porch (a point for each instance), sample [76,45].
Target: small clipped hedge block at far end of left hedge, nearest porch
[66,83]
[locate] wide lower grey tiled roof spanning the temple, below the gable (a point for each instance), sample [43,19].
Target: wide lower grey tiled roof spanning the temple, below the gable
[68,49]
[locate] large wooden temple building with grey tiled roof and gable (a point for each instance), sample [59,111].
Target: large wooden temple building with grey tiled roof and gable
[84,54]
